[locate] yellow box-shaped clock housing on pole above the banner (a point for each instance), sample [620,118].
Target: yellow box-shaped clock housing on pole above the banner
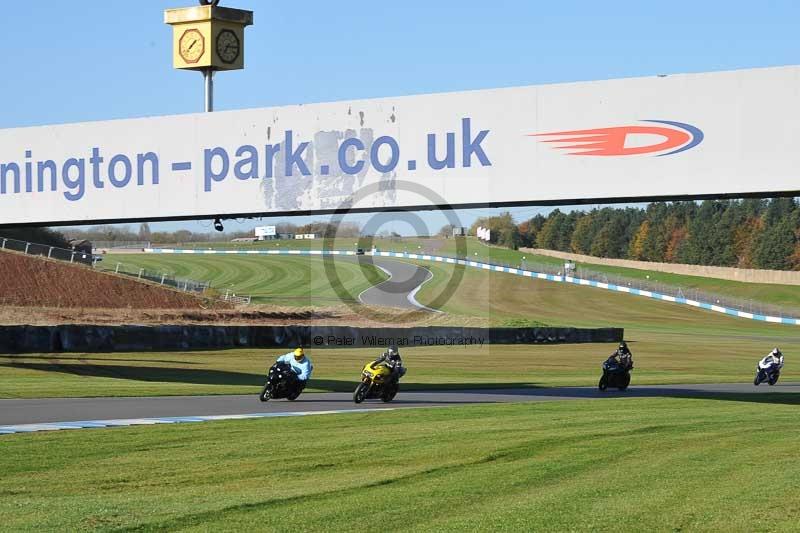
[208,37]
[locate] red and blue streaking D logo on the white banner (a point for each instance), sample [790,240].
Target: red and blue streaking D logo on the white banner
[668,138]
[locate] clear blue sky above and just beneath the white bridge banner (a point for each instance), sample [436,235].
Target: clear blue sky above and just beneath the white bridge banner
[106,59]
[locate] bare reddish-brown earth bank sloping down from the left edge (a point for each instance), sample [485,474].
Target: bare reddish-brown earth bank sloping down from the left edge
[27,281]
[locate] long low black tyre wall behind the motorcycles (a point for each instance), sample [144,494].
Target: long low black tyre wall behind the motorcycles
[87,338]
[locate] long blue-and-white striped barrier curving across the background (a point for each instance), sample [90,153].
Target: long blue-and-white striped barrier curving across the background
[509,270]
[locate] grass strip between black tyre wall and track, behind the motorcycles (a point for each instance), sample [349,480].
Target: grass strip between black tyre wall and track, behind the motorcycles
[660,359]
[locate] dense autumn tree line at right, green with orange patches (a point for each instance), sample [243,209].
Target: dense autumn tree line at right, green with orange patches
[751,233]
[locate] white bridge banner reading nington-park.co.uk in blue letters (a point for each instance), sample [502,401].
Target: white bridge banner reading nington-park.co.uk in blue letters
[686,135]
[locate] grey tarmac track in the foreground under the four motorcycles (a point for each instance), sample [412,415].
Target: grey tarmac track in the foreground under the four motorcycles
[77,409]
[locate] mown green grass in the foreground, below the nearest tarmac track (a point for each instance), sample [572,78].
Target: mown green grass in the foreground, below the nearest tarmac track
[608,465]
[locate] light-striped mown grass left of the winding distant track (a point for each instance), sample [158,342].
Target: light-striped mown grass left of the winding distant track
[286,280]
